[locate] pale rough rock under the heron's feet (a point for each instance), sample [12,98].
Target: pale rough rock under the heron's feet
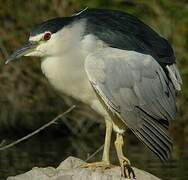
[69,170]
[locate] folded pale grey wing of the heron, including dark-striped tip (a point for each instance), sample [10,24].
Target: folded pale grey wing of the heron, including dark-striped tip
[135,87]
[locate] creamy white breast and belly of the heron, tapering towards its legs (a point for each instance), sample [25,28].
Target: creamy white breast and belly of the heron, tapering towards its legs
[69,77]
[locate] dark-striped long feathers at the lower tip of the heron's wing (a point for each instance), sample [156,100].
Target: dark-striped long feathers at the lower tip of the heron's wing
[155,135]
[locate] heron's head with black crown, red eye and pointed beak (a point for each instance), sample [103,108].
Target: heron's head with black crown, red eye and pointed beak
[51,38]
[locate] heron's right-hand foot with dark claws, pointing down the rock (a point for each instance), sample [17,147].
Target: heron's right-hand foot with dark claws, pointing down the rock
[126,169]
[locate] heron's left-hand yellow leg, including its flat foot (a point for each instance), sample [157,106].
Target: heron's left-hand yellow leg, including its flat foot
[105,163]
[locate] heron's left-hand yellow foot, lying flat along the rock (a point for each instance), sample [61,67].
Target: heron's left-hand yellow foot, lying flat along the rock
[98,165]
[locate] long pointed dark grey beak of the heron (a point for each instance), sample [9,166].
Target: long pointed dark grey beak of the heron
[25,49]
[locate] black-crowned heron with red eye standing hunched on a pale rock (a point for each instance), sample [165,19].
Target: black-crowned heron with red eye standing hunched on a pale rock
[120,67]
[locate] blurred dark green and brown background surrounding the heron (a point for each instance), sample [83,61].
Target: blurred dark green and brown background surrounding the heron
[27,100]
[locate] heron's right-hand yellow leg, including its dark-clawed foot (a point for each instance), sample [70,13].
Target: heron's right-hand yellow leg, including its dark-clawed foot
[126,169]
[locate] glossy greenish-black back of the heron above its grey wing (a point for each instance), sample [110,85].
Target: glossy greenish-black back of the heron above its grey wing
[124,31]
